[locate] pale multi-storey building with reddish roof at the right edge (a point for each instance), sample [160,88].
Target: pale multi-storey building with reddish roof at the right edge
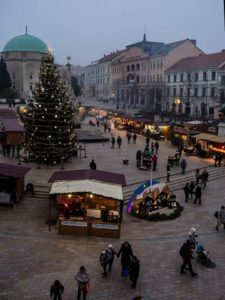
[195,85]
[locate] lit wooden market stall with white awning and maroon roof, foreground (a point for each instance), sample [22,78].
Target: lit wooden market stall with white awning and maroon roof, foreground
[88,201]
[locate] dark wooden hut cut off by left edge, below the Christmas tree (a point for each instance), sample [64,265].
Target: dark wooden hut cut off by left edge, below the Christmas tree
[12,183]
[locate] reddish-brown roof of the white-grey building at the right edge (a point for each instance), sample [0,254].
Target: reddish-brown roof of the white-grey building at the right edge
[200,61]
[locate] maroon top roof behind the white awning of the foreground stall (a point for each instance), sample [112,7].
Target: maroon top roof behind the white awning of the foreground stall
[96,175]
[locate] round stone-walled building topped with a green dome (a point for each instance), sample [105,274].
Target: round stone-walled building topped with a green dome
[23,55]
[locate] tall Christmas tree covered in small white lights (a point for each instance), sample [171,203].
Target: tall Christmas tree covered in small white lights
[49,120]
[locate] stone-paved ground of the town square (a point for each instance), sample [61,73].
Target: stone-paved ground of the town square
[31,257]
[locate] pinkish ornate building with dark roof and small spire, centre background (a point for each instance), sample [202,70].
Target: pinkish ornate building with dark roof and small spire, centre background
[138,75]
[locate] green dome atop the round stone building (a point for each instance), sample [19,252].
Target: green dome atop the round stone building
[25,43]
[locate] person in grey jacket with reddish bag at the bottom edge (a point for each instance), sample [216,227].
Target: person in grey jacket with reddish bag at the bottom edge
[83,281]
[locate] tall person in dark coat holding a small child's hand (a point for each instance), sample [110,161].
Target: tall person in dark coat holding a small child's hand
[126,255]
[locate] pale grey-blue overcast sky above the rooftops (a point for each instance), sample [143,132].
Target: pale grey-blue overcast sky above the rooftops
[88,29]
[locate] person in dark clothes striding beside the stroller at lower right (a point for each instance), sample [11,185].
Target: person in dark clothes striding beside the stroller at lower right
[186,253]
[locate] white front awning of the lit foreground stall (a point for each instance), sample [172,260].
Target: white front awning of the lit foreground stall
[109,190]
